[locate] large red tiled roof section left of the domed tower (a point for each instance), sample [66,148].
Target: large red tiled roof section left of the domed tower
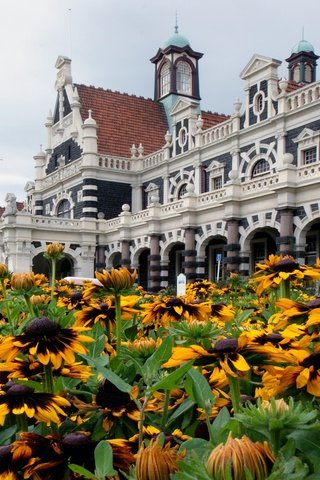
[123,120]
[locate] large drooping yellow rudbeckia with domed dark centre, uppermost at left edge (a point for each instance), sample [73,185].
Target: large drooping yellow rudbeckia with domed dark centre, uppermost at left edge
[47,341]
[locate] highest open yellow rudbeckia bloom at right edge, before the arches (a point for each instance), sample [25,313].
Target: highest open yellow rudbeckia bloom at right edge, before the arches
[278,268]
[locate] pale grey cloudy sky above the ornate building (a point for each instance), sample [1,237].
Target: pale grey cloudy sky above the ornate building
[111,42]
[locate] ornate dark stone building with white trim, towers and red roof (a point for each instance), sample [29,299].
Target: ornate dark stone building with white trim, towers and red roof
[164,187]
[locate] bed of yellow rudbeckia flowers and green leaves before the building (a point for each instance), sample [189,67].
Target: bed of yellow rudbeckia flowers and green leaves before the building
[104,380]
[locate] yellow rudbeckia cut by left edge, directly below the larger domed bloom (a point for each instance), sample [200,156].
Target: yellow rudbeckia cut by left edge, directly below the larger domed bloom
[18,399]
